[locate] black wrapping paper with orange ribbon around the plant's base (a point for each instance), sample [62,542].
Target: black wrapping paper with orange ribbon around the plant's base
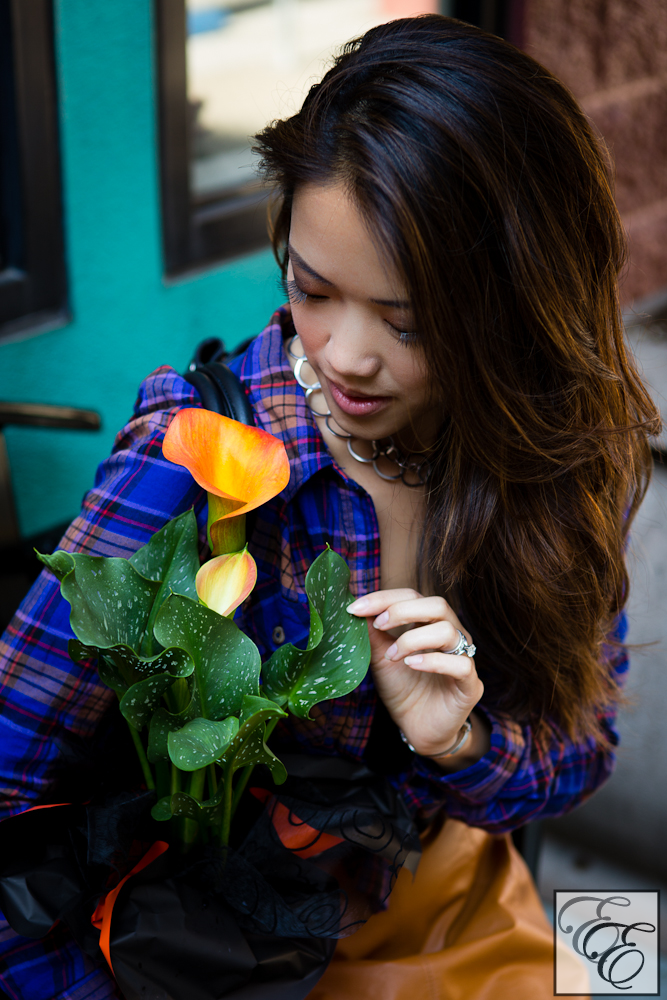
[259,920]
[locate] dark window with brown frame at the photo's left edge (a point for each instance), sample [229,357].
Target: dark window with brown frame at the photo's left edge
[33,280]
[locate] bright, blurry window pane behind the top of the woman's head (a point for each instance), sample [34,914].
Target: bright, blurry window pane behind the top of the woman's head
[250,61]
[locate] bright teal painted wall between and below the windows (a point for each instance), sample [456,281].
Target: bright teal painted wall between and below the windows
[126,320]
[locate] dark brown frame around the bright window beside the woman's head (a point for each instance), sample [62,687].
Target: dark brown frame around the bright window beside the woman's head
[197,231]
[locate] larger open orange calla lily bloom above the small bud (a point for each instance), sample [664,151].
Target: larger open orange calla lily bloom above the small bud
[243,465]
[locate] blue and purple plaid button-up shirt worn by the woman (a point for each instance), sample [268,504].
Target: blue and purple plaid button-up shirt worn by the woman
[45,696]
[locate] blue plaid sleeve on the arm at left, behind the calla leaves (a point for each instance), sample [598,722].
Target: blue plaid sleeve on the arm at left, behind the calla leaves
[44,696]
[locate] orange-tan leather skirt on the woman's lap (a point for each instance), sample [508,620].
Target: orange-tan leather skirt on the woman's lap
[470,926]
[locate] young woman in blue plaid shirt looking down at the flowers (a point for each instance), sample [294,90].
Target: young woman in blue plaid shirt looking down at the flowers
[464,426]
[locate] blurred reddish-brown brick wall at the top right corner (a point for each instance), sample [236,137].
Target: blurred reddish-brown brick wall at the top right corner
[613,56]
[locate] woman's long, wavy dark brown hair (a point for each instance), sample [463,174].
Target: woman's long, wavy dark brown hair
[481,178]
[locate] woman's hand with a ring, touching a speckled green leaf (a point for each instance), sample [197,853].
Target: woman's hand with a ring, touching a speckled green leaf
[428,692]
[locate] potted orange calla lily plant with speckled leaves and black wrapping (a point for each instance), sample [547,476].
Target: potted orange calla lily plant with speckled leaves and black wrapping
[226,871]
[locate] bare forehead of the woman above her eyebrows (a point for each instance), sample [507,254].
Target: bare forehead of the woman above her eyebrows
[331,235]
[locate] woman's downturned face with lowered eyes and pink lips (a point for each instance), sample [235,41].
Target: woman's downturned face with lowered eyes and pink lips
[354,319]
